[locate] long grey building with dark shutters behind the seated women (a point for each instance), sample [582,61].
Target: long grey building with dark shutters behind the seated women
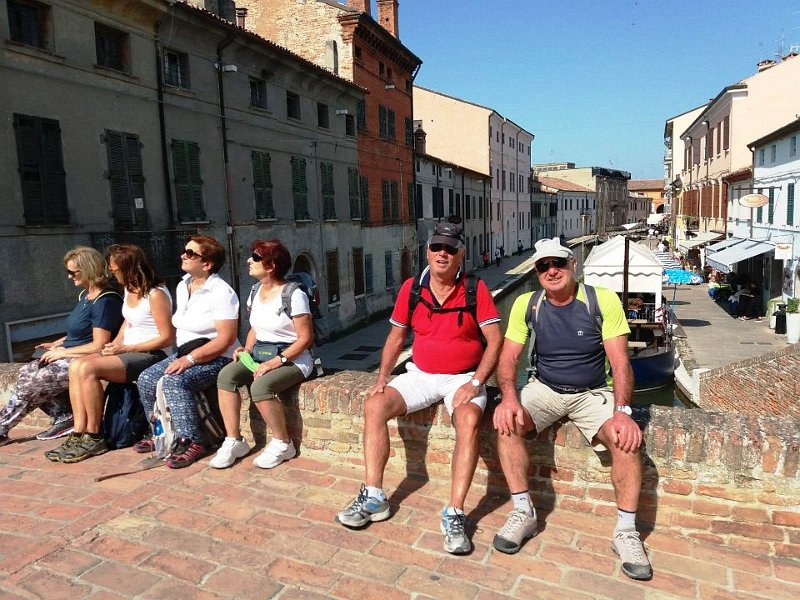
[119,130]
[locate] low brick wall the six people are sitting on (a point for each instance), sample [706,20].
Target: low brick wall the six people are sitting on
[724,477]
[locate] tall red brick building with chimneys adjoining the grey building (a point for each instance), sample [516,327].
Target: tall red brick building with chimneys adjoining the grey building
[348,41]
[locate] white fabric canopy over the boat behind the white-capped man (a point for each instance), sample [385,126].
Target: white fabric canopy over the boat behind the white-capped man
[604,268]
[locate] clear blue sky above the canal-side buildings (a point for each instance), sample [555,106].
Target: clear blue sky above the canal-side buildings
[594,80]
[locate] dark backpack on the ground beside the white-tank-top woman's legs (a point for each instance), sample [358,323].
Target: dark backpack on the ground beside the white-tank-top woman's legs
[124,420]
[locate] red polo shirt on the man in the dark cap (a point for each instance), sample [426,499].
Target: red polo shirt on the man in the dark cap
[440,344]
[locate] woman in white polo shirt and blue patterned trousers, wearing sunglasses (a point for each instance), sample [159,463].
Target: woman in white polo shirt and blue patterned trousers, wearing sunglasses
[205,323]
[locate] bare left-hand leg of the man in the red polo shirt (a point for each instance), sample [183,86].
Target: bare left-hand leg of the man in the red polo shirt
[378,410]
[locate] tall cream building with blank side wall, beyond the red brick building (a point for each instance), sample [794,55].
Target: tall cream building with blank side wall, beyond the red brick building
[482,140]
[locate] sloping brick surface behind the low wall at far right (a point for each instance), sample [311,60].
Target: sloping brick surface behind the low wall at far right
[768,384]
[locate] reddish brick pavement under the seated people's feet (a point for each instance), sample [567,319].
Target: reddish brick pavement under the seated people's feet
[246,533]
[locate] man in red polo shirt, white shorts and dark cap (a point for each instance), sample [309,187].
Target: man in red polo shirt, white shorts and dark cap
[450,363]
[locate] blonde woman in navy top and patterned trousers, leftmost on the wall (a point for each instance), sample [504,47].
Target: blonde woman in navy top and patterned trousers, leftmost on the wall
[92,323]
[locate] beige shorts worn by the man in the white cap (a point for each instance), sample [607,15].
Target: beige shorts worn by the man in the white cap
[588,410]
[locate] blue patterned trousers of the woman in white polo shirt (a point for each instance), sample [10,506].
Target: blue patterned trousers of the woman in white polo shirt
[179,391]
